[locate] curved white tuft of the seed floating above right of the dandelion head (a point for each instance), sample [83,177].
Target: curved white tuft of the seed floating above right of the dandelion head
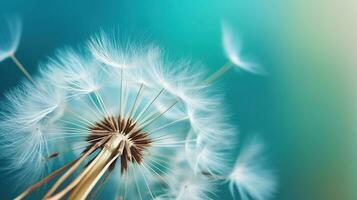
[232,47]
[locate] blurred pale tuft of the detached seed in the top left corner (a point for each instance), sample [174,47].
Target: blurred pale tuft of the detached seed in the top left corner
[10,34]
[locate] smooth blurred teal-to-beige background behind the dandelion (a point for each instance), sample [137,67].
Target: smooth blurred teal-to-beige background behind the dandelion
[305,108]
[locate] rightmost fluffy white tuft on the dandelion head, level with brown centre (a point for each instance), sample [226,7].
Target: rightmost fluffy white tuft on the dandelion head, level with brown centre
[215,144]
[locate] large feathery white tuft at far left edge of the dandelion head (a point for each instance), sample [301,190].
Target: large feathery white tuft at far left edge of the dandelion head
[24,121]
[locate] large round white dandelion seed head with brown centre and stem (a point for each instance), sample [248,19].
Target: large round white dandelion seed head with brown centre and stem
[121,115]
